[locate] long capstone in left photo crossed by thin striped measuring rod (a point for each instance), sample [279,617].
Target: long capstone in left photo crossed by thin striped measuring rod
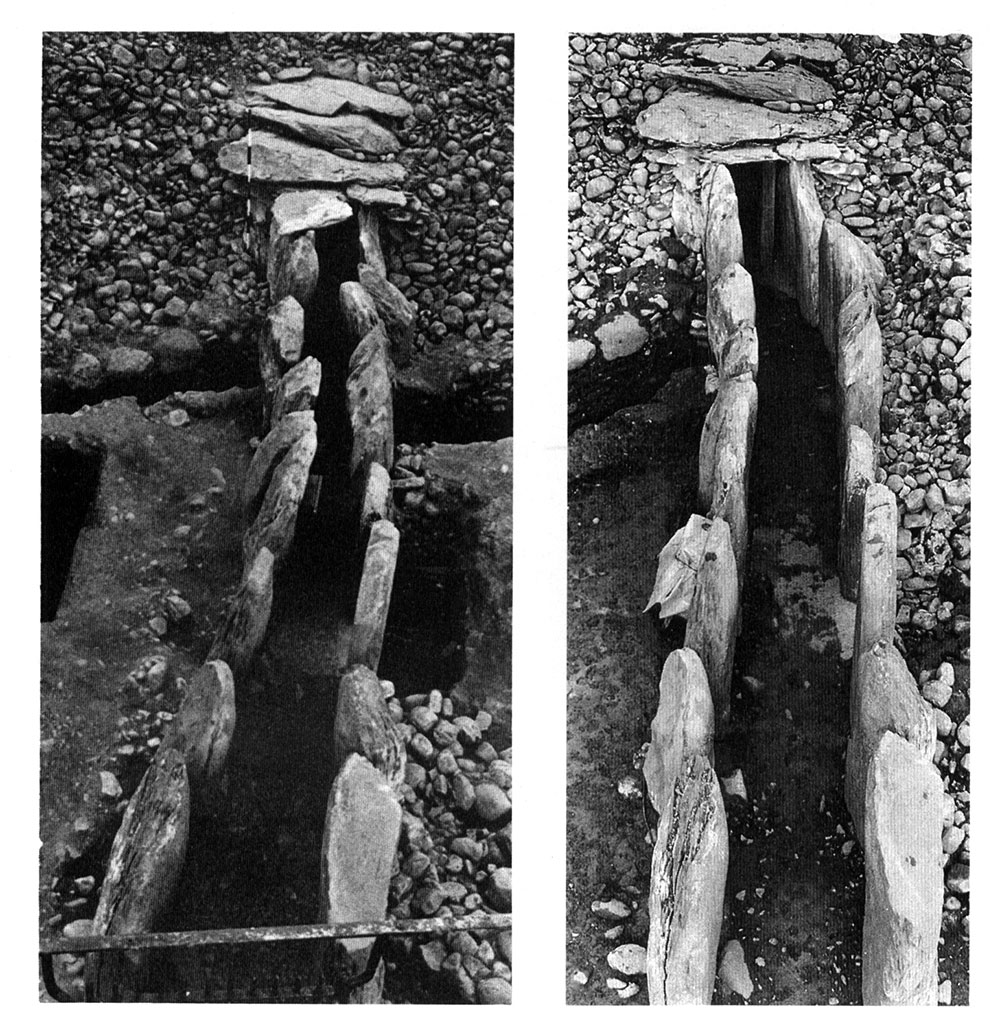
[279,160]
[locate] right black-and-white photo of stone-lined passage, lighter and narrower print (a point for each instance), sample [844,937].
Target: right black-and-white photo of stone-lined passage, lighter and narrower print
[769,520]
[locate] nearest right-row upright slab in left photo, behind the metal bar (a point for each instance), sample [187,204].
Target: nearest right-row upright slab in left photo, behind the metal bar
[360,848]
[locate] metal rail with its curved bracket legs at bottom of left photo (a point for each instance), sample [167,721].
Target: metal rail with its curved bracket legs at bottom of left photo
[49,948]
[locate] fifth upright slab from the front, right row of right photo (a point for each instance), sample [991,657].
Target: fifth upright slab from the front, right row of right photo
[860,365]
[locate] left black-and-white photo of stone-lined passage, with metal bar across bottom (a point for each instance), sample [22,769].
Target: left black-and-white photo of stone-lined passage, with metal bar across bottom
[277,471]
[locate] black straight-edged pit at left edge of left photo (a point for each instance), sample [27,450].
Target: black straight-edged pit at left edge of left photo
[70,477]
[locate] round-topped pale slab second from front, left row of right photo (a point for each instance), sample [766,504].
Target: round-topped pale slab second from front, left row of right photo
[684,727]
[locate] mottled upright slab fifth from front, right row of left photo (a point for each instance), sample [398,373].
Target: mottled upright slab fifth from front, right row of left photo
[370,404]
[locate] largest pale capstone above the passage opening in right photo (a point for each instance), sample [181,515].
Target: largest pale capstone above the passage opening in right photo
[701,120]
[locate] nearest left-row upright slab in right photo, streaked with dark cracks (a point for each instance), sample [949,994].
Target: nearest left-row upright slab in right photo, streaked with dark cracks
[687,888]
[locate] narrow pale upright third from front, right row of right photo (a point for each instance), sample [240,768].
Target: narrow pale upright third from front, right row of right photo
[876,617]
